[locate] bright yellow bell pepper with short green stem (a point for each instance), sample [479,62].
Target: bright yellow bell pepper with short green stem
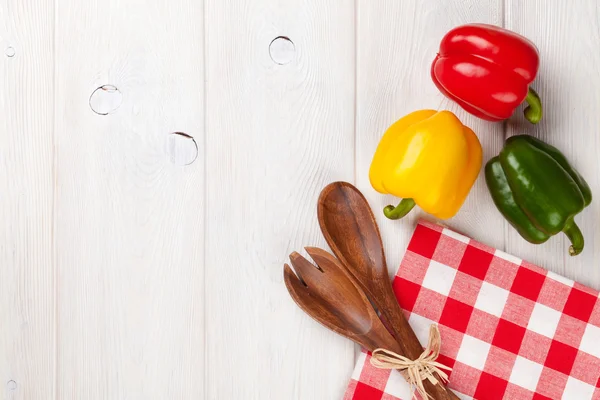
[429,158]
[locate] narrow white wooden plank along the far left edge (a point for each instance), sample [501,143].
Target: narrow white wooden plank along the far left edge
[27,197]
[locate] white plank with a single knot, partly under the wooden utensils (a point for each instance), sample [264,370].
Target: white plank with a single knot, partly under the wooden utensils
[278,130]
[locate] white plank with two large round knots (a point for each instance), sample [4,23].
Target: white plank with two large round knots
[129,217]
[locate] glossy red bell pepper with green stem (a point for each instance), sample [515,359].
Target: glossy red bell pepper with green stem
[487,71]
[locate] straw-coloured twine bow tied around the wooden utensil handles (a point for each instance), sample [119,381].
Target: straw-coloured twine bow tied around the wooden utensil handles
[416,371]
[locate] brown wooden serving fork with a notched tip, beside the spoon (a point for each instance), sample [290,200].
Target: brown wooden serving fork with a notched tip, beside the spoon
[333,298]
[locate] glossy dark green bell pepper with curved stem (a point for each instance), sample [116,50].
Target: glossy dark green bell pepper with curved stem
[537,190]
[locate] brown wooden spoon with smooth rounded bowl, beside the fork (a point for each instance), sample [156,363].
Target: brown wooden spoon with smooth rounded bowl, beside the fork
[351,231]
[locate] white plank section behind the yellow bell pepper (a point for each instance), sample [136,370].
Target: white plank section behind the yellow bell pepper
[397,42]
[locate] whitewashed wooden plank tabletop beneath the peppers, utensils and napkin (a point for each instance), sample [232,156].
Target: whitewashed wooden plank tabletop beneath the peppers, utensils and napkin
[133,268]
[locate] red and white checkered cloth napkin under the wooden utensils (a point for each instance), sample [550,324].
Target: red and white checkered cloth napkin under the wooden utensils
[510,330]
